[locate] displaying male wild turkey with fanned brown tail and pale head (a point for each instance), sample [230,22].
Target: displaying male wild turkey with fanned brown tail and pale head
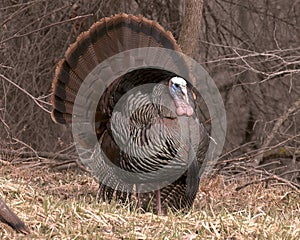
[124,121]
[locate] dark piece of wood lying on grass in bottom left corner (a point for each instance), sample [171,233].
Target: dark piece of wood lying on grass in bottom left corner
[9,217]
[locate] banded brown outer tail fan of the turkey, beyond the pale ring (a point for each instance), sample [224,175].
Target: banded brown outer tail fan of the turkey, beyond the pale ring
[104,39]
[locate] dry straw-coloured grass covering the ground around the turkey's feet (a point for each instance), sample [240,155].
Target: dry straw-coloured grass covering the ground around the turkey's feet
[62,205]
